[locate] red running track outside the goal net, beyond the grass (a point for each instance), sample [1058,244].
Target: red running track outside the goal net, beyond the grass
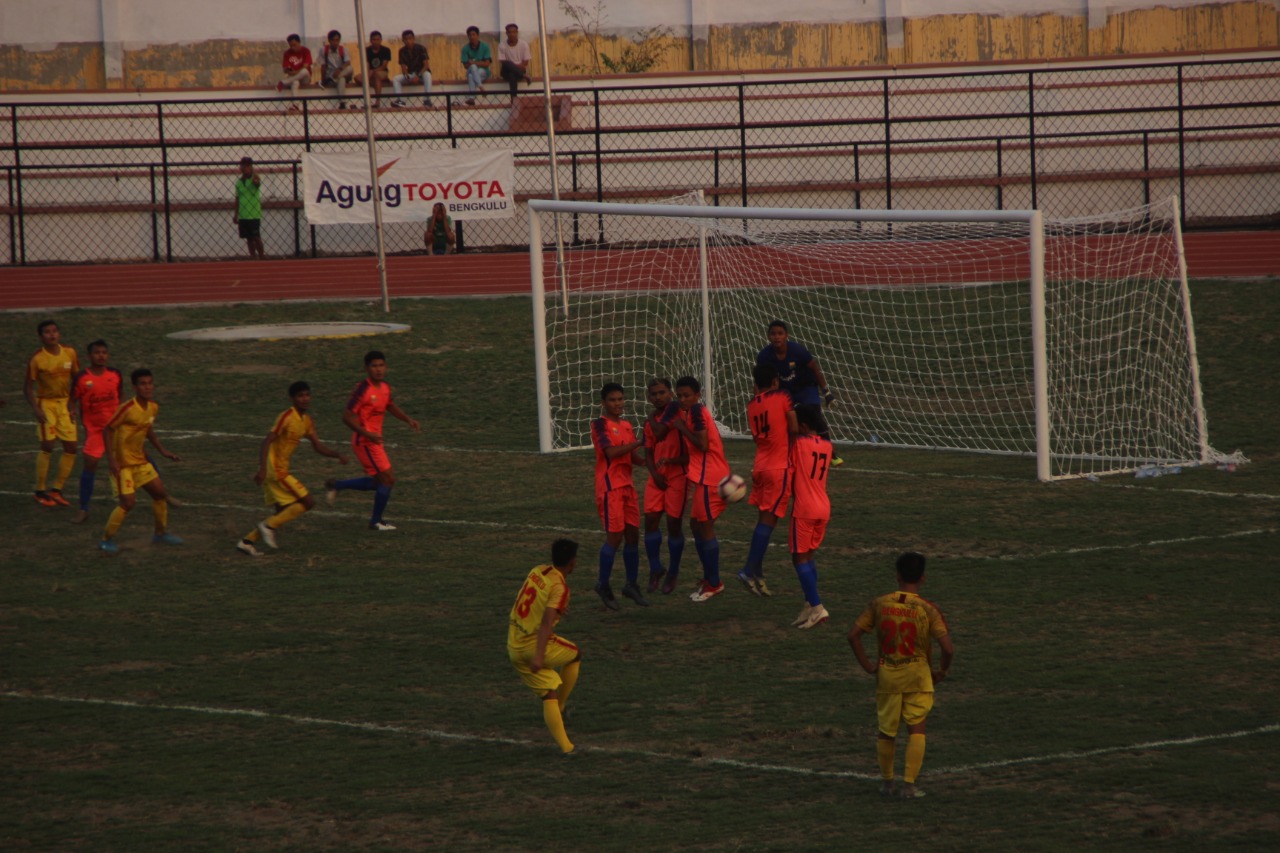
[1209,256]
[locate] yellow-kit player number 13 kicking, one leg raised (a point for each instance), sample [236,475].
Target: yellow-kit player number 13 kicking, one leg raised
[533,646]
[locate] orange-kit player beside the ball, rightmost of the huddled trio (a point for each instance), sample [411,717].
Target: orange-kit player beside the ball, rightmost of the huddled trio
[706,471]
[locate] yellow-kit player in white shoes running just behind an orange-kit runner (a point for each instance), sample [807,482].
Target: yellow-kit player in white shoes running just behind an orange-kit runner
[280,487]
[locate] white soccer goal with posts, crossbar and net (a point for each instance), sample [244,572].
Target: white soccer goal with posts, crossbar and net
[1068,341]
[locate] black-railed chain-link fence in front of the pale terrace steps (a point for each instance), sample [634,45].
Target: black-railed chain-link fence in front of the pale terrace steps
[154,181]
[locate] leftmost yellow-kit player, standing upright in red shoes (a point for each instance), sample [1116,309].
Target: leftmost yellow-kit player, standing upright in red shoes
[48,387]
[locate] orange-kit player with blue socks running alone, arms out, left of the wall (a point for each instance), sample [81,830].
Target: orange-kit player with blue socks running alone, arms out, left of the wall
[369,404]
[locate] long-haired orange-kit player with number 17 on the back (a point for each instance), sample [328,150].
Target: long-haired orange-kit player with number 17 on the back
[811,510]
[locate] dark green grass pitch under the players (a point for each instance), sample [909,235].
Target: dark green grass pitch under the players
[1116,683]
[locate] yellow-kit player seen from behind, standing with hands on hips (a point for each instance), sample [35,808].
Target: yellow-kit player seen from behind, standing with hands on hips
[906,628]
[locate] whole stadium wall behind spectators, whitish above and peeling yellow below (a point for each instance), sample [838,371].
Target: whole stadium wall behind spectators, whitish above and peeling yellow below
[76,45]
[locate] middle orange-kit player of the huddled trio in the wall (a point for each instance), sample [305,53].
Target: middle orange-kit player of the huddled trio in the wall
[666,492]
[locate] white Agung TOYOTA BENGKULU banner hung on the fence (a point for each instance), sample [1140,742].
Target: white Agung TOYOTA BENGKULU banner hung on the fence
[472,185]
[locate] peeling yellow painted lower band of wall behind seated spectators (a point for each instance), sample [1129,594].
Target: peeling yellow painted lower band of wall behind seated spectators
[1247,25]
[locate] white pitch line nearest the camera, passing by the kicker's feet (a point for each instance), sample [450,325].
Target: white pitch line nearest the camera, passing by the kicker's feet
[440,735]
